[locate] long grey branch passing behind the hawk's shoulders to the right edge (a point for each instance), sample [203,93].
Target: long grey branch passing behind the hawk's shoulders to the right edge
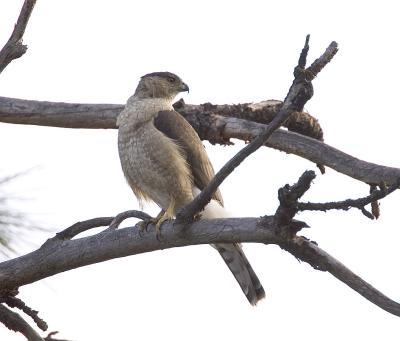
[210,126]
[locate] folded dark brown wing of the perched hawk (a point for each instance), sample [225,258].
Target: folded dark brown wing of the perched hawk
[173,125]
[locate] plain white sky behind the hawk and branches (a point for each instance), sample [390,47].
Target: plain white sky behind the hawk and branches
[228,52]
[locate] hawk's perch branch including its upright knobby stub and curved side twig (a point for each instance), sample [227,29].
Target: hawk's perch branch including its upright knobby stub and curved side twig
[61,253]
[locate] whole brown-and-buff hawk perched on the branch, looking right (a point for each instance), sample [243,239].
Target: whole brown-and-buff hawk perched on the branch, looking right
[163,159]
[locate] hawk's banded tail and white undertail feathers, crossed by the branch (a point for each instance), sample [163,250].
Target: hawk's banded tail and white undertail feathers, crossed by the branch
[235,258]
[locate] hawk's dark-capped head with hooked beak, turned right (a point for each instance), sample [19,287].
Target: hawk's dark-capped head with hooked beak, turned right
[160,85]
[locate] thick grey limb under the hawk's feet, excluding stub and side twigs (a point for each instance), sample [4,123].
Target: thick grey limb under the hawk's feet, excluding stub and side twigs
[56,257]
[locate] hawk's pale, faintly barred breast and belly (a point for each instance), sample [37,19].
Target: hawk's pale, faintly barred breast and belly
[154,165]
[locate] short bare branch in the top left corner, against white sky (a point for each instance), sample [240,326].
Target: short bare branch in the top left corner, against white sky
[14,48]
